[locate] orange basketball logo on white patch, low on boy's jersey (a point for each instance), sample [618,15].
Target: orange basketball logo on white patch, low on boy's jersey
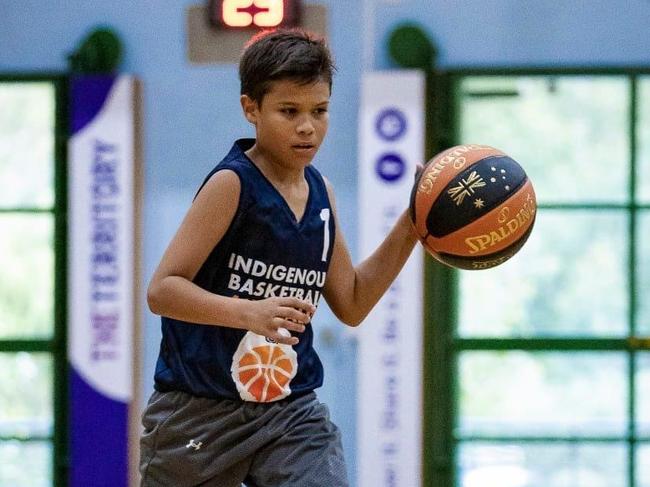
[263,371]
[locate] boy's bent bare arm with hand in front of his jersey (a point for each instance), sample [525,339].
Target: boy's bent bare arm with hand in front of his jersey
[172,293]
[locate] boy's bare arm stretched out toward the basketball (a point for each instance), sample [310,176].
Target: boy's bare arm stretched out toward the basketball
[351,292]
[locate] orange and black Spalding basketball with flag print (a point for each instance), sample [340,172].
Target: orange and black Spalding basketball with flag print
[473,207]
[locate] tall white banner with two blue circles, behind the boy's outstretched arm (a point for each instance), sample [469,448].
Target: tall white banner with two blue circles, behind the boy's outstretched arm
[389,411]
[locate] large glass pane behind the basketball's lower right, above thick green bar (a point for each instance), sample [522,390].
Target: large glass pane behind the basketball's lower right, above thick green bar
[571,259]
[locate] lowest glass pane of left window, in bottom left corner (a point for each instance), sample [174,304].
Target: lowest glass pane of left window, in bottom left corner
[26,464]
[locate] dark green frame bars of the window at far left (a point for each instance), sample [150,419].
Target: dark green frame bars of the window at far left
[55,345]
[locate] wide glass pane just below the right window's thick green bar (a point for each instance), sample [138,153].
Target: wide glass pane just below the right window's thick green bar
[542,394]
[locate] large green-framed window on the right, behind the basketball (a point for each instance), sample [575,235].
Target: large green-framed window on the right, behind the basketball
[549,369]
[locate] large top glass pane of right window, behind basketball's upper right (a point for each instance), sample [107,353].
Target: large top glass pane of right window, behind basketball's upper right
[569,133]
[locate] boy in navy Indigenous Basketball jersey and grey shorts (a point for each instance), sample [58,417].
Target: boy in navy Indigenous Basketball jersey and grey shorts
[239,283]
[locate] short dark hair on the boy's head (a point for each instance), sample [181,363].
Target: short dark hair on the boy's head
[283,54]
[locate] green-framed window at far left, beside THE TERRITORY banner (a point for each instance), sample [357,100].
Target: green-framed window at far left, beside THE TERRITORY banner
[32,281]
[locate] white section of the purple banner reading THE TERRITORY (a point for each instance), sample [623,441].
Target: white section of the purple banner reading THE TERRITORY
[101,236]
